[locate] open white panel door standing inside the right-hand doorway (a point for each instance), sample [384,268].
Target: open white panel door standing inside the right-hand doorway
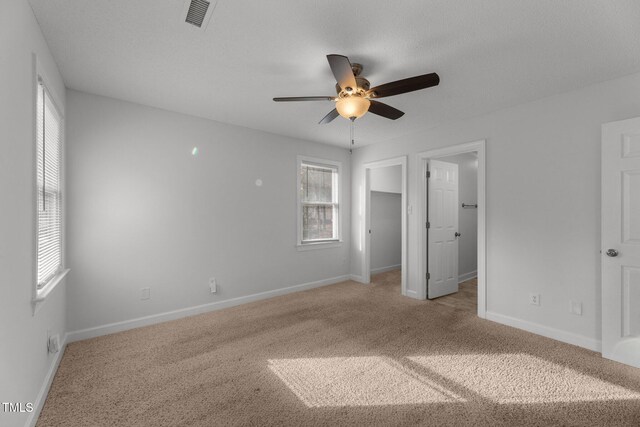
[442,229]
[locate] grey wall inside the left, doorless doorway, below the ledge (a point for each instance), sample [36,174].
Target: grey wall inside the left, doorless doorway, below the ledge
[386,227]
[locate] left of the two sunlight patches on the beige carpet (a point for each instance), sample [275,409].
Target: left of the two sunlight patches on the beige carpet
[357,381]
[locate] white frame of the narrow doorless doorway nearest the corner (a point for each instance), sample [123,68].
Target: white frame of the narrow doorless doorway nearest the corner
[396,161]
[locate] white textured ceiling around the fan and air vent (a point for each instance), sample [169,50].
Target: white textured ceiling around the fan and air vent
[490,54]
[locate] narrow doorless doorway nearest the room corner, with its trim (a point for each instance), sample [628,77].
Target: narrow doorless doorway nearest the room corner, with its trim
[385,183]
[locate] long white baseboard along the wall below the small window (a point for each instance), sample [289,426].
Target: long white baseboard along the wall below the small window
[192,311]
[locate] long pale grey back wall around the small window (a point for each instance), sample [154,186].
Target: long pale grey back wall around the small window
[144,212]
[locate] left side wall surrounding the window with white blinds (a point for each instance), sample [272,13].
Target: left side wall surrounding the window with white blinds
[24,359]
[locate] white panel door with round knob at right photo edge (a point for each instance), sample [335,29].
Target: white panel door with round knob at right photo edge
[621,241]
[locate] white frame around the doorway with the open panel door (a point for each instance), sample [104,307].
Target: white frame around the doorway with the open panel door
[423,160]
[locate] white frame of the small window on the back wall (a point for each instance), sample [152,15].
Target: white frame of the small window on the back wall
[320,244]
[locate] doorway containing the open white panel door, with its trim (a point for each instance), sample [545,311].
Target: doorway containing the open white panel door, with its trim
[444,266]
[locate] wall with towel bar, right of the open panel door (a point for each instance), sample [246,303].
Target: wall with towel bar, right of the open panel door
[467,217]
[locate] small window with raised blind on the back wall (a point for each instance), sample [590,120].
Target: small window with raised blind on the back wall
[318,201]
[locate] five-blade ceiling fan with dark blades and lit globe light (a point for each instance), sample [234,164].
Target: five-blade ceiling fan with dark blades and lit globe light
[355,97]
